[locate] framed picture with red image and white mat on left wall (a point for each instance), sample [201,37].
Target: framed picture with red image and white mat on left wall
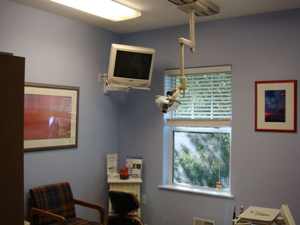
[50,117]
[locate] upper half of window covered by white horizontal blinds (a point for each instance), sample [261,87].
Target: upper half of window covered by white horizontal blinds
[208,95]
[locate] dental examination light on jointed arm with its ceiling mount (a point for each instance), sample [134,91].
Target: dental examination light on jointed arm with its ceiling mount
[193,8]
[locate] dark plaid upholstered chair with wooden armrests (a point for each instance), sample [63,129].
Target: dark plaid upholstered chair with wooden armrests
[54,205]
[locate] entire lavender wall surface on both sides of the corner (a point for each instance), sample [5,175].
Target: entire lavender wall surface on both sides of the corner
[62,51]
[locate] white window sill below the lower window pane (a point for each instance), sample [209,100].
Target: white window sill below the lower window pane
[201,191]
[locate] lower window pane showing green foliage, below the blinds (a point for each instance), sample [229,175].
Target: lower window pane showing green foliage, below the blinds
[201,156]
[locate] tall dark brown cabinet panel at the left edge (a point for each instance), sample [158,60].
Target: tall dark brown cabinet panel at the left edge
[11,139]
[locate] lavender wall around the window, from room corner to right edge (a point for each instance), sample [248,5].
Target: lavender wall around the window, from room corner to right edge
[265,170]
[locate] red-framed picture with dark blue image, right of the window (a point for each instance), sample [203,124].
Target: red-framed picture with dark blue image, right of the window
[276,106]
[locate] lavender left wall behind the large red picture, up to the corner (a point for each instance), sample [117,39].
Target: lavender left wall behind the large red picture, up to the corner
[66,52]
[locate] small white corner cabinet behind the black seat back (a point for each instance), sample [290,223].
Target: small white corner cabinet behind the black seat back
[132,186]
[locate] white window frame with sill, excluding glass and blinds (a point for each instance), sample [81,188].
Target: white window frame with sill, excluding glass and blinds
[173,123]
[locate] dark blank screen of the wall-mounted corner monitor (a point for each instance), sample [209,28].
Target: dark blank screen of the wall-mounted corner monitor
[132,65]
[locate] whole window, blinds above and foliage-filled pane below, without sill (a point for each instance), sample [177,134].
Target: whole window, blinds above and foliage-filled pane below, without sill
[200,129]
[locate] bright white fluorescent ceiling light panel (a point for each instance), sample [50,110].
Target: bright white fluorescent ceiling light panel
[107,9]
